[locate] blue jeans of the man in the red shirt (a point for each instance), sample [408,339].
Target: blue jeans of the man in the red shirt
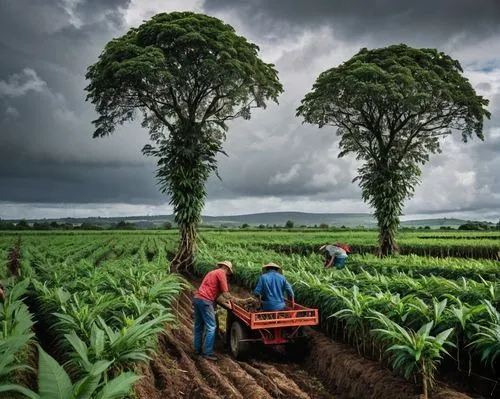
[204,316]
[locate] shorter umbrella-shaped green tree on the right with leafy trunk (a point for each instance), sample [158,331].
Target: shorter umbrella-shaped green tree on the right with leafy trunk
[391,107]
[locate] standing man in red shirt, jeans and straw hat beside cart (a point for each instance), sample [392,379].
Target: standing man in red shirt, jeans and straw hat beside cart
[213,285]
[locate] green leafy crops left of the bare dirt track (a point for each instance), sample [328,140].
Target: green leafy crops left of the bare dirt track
[90,308]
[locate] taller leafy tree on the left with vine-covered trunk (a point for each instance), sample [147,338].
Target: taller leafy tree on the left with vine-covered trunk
[186,75]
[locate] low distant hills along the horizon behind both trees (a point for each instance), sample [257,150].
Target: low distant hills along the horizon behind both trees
[268,218]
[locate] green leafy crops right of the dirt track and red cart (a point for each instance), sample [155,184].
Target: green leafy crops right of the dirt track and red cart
[431,314]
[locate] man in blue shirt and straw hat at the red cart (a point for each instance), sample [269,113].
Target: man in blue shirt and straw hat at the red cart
[271,288]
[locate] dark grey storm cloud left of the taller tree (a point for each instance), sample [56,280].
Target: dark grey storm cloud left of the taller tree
[46,150]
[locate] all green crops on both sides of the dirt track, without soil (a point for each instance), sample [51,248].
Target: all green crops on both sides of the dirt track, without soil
[96,302]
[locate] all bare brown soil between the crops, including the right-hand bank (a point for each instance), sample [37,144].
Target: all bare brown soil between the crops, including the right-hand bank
[331,370]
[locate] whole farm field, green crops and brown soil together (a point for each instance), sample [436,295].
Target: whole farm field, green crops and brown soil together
[98,303]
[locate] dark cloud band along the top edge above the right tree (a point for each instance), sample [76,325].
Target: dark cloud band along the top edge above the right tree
[382,18]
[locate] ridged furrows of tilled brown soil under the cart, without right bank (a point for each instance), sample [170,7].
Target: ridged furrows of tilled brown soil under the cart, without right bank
[176,372]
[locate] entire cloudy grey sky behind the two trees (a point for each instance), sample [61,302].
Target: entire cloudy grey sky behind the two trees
[51,167]
